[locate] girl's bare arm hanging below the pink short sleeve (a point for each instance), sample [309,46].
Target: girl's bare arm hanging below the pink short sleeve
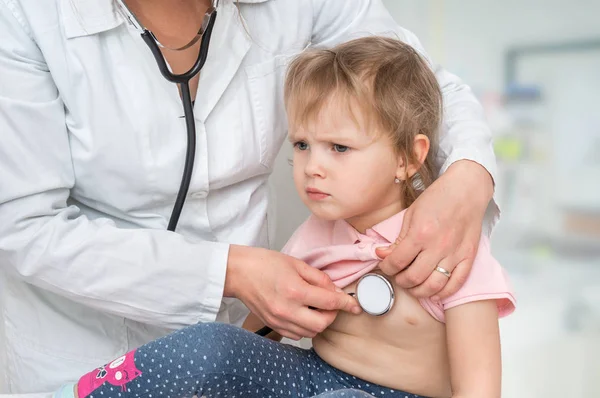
[473,340]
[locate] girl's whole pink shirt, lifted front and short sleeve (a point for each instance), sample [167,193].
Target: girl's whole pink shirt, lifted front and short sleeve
[345,255]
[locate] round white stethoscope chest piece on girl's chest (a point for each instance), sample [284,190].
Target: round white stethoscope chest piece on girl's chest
[375,294]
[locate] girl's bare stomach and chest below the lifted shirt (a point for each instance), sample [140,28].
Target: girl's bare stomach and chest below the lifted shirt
[404,349]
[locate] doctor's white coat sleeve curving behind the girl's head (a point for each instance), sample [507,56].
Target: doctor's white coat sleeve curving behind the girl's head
[464,133]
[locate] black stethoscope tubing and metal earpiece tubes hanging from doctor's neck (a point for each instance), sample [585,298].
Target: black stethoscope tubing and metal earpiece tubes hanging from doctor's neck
[183,81]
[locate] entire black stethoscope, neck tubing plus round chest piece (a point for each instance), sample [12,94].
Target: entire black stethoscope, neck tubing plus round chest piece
[374,293]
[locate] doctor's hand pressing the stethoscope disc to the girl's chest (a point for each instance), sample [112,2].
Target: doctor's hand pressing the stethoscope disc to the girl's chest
[279,289]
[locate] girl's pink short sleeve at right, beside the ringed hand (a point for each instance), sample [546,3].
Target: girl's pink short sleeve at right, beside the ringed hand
[487,281]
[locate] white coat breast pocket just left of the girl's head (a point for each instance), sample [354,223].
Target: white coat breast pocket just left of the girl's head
[265,89]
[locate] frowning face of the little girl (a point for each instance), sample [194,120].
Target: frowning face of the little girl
[344,171]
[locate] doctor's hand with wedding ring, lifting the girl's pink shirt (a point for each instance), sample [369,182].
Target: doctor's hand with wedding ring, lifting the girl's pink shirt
[442,228]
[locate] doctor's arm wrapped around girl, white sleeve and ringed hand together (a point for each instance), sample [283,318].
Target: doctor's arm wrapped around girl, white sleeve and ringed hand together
[442,228]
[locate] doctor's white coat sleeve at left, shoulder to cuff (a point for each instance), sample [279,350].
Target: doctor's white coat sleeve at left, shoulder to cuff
[152,276]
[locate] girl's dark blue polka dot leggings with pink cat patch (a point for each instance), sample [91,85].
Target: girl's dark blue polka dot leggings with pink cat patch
[220,360]
